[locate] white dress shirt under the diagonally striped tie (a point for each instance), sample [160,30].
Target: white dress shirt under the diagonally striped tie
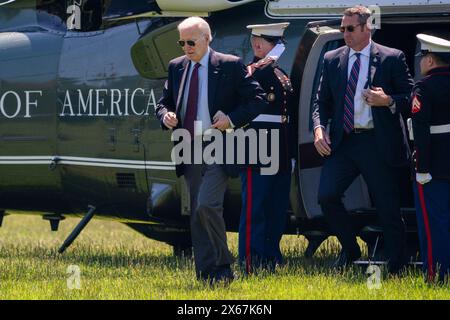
[362,111]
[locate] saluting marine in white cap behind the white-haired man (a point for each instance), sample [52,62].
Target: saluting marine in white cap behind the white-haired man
[265,198]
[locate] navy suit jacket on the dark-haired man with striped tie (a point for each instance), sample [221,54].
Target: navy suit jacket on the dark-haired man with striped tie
[388,70]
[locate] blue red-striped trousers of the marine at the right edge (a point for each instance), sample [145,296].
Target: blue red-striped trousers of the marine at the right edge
[433,222]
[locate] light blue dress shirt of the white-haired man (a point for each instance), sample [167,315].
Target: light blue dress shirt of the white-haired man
[203,107]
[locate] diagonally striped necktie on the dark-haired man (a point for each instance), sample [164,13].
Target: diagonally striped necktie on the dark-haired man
[349,100]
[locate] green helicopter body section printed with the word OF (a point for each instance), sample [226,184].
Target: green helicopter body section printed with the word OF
[28,64]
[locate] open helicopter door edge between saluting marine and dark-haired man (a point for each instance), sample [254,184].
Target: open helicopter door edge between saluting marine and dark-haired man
[318,39]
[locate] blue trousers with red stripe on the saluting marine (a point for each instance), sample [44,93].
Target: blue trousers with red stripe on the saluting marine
[265,200]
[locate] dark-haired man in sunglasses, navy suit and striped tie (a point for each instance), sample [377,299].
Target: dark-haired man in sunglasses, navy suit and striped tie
[363,89]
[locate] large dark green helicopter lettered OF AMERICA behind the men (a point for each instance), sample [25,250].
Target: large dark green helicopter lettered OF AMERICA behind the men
[79,81]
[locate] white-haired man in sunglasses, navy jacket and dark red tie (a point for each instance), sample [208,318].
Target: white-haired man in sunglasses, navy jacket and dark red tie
[210,87]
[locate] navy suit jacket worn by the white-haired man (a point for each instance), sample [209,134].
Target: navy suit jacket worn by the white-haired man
[229,90]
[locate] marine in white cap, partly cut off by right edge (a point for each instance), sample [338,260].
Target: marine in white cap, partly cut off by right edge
[430,108]
